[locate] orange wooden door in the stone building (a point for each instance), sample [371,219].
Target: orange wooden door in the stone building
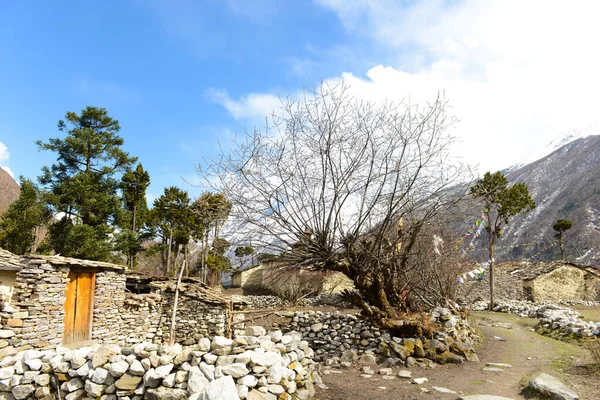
[79,307]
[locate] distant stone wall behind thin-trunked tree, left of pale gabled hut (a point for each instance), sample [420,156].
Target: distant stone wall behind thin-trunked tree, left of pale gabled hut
[506,287]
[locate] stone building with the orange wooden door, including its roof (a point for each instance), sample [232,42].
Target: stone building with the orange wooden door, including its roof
[53,300]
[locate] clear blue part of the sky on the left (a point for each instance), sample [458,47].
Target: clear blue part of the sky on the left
[153,65]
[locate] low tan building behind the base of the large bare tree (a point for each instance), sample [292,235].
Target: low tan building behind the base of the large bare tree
[279,275]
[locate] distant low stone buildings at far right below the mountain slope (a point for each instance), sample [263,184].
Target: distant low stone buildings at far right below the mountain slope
[555,280]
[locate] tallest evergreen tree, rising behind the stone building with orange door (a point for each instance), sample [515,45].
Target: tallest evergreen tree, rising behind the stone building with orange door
[82,185]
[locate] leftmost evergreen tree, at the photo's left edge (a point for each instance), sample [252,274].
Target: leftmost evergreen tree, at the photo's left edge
[19,225]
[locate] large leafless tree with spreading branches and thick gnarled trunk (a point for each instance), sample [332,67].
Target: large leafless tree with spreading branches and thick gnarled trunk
[337,183]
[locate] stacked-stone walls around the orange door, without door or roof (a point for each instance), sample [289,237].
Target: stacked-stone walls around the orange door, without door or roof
[35,317]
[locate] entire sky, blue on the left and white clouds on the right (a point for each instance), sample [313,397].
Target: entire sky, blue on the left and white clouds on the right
[181,75]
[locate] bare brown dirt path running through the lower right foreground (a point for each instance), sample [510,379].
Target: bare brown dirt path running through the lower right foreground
[528,352]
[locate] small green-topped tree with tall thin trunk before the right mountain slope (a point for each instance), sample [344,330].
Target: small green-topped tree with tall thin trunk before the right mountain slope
[502,202]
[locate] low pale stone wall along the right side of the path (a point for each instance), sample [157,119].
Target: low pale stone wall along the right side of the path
[550,315]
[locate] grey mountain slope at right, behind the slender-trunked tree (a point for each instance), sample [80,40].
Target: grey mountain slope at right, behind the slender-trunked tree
[564,184]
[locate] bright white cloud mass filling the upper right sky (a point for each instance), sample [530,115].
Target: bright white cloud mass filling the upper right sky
[517,73]
